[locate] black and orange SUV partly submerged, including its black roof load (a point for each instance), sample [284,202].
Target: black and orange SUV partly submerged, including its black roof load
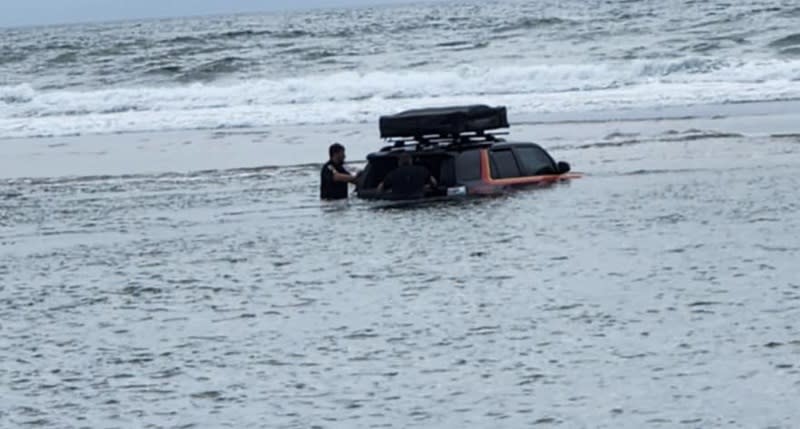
[454,145]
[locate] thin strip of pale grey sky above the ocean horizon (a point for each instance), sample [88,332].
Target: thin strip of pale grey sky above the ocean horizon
[36,12]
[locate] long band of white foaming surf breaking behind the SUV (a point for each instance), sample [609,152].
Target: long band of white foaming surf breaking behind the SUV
[349,97]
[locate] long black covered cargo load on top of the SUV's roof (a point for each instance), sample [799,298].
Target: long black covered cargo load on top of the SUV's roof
[444,123]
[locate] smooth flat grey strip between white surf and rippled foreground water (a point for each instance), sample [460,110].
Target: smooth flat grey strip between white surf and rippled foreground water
[200,150]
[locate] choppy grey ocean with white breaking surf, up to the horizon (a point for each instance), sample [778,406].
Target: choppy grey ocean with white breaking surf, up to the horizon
[347,66]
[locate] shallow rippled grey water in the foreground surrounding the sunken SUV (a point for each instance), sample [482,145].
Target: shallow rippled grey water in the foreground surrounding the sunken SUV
[658,291]
